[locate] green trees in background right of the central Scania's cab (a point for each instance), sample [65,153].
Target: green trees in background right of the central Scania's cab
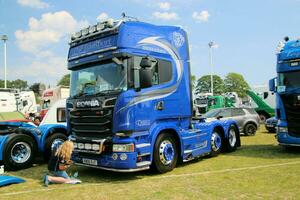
[232,82]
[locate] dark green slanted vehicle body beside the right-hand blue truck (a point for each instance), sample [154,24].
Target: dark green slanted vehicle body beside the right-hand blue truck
[263,109]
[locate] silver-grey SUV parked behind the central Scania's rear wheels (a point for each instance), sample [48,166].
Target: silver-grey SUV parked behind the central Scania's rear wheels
[246,118]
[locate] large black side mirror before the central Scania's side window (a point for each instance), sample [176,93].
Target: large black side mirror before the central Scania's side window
[146,72]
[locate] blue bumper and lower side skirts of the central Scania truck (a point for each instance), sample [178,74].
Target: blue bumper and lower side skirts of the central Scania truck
[193,143]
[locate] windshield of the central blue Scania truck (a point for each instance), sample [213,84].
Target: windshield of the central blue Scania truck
[101,78]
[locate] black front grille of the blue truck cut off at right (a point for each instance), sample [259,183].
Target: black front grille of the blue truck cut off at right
[292,111]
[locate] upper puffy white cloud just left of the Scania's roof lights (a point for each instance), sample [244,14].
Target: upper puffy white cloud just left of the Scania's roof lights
[48,30]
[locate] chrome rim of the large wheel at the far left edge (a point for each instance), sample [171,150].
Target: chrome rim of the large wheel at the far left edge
[20,152]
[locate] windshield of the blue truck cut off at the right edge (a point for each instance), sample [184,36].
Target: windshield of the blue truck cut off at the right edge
[289,79]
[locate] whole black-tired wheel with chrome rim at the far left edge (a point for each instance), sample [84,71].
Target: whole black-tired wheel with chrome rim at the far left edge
[19,152]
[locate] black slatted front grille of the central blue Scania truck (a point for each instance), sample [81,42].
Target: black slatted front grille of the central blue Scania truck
[92,123]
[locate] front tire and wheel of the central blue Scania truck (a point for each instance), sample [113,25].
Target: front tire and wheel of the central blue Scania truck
[165,154]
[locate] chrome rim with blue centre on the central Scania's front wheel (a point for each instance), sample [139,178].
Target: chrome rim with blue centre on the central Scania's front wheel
[166,152]
